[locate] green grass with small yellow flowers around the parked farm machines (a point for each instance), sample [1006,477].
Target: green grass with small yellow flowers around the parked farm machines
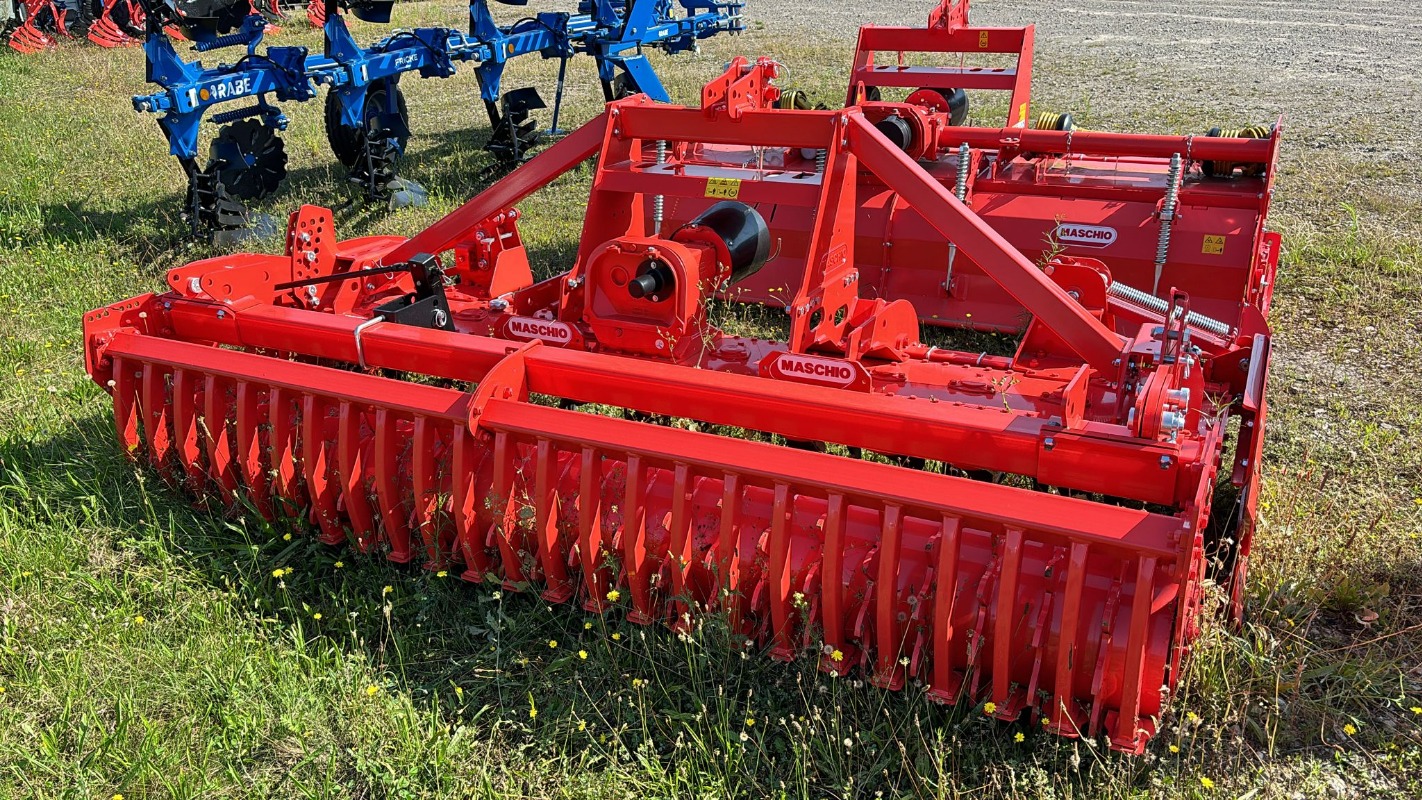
[151,650]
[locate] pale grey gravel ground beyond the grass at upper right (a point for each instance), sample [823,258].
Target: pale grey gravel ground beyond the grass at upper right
[1367,56]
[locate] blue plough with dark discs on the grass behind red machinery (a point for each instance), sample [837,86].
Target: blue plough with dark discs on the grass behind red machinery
[366,114]
